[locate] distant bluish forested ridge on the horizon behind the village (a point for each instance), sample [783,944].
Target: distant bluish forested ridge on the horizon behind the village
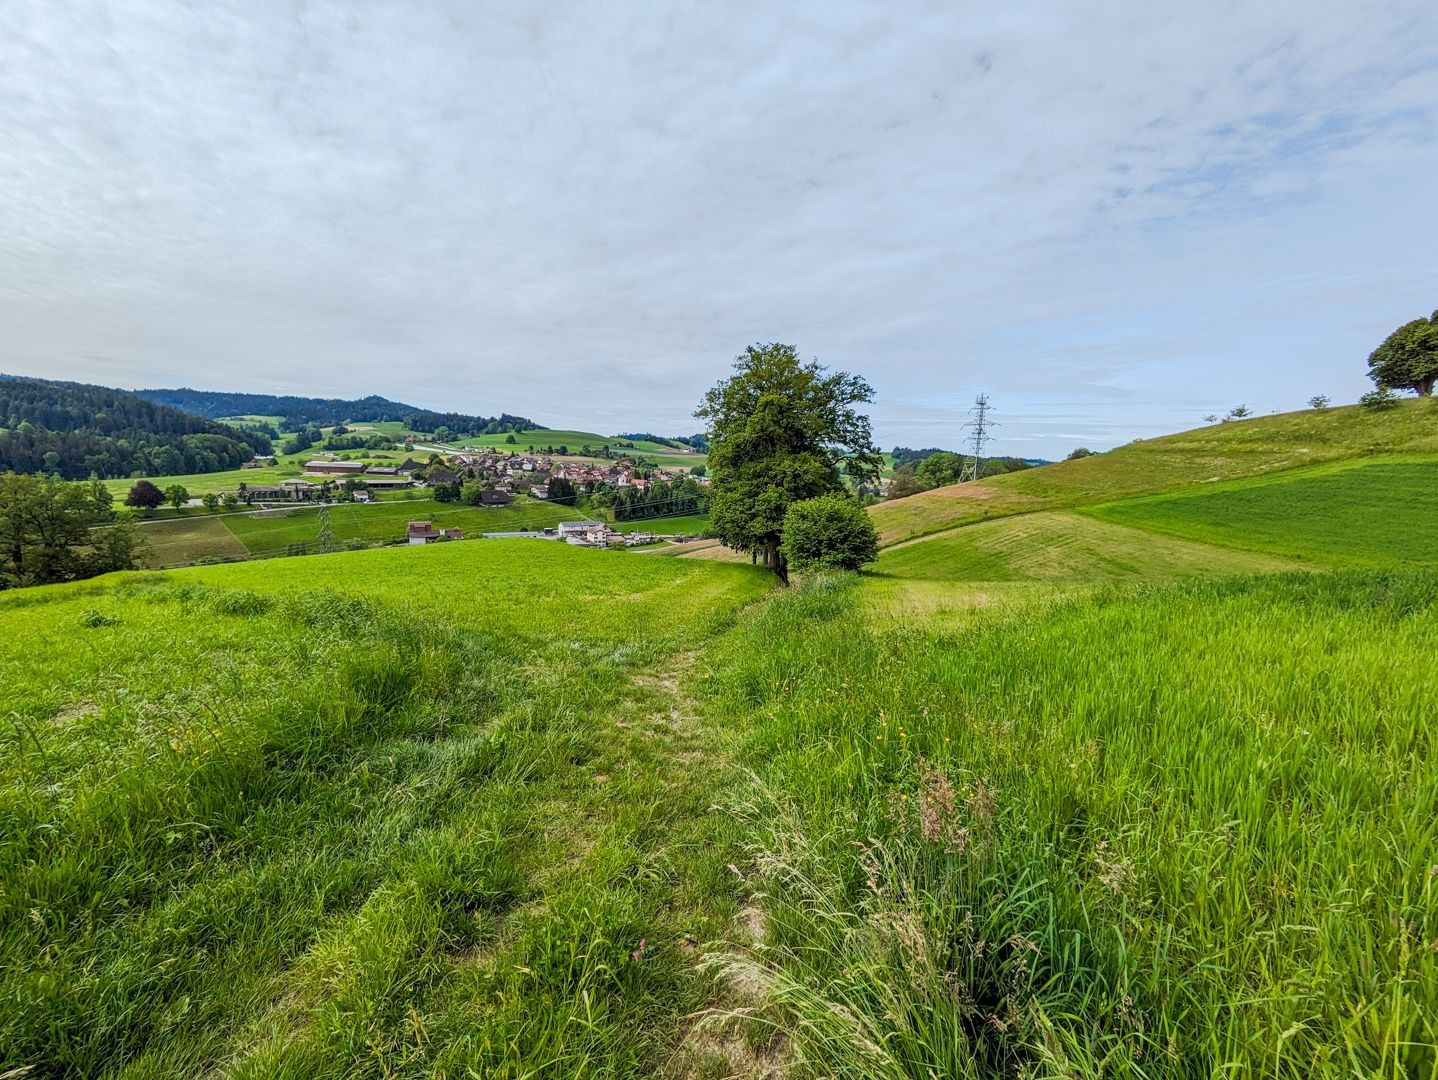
[300,412]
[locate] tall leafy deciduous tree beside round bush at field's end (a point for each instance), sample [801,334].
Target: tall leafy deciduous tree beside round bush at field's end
[780,429]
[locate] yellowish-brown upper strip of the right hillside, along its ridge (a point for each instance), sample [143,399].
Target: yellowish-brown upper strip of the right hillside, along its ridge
[1204,455]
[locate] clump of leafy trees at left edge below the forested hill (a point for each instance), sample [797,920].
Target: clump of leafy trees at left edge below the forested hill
[54,531]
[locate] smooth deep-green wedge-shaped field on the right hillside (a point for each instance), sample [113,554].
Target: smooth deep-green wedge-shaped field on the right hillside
[1355,514]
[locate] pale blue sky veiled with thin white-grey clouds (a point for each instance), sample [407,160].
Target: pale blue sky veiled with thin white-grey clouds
[1114,219]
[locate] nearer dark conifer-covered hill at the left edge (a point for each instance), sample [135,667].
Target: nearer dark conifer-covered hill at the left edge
[75,431]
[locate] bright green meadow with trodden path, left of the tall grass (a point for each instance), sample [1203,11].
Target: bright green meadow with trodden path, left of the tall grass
[439,820]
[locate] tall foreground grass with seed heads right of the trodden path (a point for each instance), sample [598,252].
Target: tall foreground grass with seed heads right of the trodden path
[1186,830]
